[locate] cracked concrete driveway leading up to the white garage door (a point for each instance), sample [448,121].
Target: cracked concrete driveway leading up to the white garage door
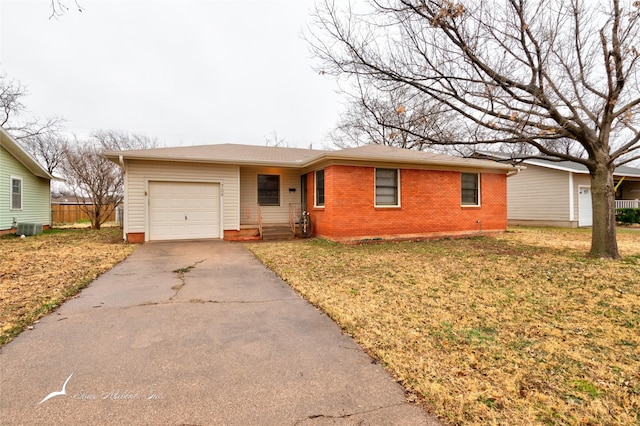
[223,342]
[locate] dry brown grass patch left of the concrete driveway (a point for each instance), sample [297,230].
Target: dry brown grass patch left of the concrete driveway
[38,273]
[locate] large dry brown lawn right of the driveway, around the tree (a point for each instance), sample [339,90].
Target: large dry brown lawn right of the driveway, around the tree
[518,329]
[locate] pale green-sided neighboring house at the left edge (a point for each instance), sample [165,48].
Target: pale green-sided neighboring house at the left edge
[24,187]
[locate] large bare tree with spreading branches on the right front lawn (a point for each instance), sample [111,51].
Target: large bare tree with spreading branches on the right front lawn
[530,74]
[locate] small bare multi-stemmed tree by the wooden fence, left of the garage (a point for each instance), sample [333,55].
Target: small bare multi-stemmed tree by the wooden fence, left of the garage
[93,178]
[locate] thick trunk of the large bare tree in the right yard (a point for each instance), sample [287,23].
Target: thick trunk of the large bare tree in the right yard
[603,235]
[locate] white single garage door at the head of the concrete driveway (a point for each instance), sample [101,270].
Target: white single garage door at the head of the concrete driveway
[184,210]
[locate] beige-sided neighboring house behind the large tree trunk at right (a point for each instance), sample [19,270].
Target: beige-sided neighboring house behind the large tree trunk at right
[552,193]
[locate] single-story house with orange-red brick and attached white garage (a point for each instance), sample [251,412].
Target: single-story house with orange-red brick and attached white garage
[369,192]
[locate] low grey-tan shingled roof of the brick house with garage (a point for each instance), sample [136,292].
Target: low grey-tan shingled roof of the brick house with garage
[302,158]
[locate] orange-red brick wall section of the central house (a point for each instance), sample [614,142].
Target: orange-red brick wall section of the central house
[429,205]
